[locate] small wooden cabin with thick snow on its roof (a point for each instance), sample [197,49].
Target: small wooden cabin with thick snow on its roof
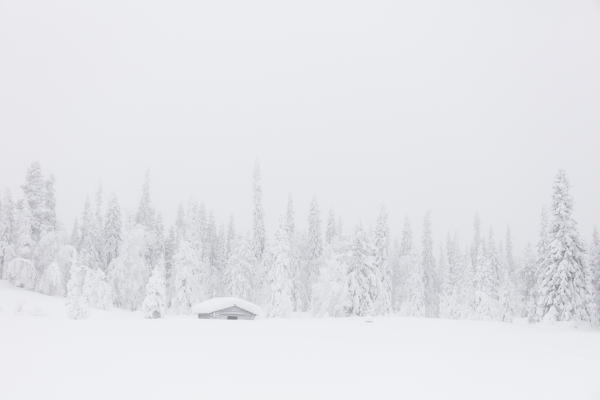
[226,308]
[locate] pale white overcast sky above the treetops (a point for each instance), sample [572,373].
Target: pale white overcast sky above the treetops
[458,107]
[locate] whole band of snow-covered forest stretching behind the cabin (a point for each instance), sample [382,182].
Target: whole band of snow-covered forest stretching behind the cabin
[134,261]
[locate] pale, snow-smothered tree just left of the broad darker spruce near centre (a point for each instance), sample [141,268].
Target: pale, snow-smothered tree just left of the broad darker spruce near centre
[330,292]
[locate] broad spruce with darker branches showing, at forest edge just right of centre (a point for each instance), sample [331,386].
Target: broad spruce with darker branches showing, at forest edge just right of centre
[363,281]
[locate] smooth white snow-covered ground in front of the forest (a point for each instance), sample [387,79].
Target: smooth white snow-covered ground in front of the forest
[118,355]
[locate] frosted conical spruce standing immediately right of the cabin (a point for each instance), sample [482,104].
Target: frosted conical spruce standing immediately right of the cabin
[279,282]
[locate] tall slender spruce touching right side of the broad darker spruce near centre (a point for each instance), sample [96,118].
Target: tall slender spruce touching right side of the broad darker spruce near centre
[383,302]
